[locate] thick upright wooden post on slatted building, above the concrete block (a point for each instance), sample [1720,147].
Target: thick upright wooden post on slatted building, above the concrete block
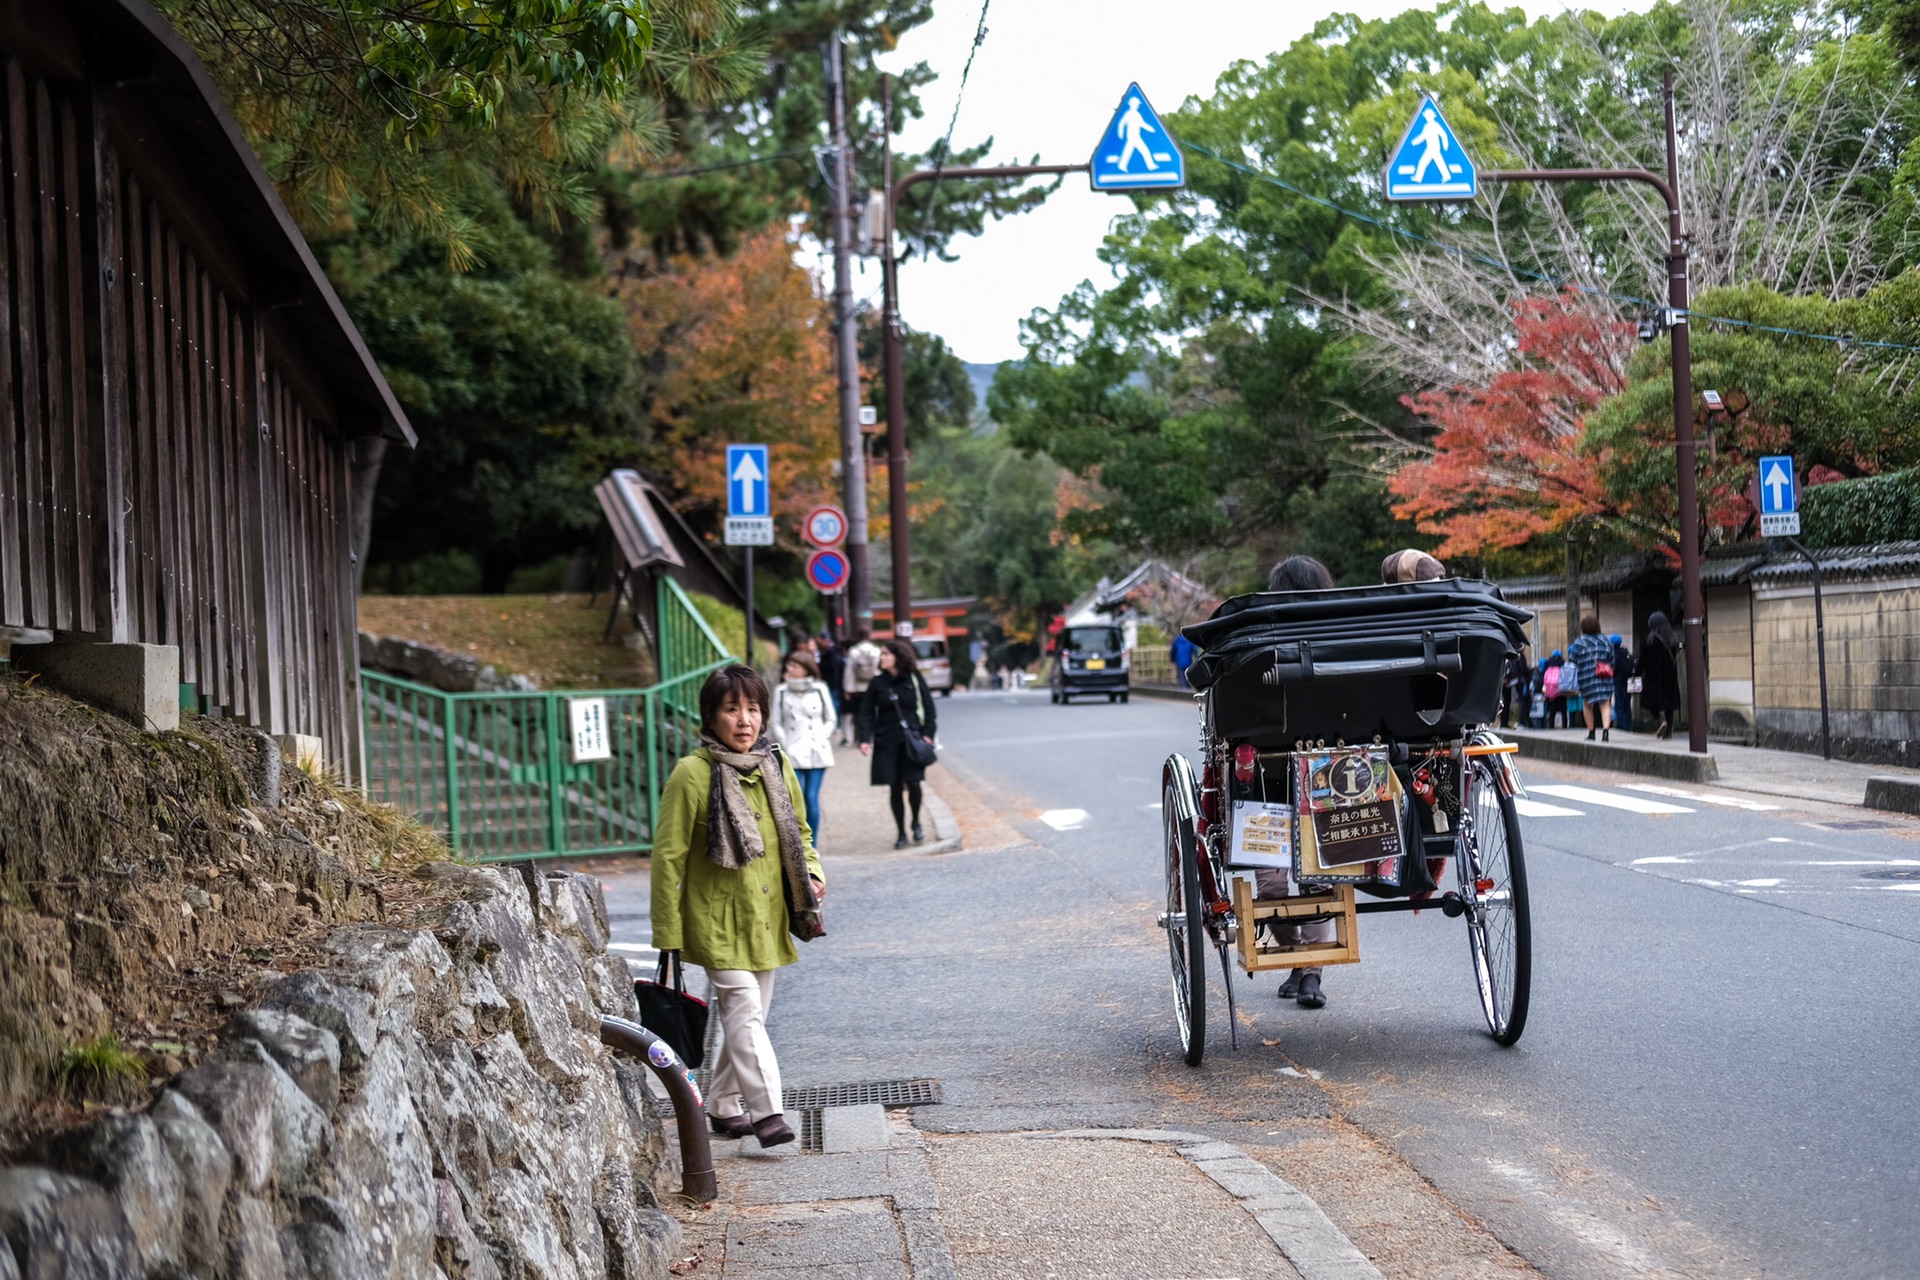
[110,392]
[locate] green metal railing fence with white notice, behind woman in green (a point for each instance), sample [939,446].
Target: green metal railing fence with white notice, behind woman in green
[492,772]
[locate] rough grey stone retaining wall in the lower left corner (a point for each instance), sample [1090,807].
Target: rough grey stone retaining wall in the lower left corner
[429,1102]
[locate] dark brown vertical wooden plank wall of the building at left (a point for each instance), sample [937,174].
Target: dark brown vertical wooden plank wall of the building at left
[233,515]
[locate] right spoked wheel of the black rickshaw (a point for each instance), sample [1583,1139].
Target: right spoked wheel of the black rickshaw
[1499,920]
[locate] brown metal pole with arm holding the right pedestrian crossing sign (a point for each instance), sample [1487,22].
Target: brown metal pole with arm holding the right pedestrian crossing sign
[1692,602]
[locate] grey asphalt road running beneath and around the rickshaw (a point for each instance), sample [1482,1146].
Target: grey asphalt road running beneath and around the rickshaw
[1717,1078]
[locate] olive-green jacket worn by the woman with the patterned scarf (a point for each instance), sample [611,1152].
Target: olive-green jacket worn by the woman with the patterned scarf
[717,918]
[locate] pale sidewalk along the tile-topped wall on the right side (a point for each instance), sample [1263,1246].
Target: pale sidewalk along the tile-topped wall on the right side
[1727,765]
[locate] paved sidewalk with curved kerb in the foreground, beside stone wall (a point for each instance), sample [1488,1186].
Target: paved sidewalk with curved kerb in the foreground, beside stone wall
[880,1202]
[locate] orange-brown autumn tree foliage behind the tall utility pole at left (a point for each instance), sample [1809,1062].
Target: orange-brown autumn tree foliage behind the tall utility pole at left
[738,348]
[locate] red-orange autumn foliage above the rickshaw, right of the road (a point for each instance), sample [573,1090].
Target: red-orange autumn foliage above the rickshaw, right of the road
[1506,462]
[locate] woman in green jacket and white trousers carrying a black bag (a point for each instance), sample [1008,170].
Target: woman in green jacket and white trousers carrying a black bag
[727,859]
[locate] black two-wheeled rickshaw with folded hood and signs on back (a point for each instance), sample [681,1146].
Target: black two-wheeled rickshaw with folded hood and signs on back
[1347,755]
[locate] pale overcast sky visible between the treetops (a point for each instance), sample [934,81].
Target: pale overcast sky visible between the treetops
[1047,82]
